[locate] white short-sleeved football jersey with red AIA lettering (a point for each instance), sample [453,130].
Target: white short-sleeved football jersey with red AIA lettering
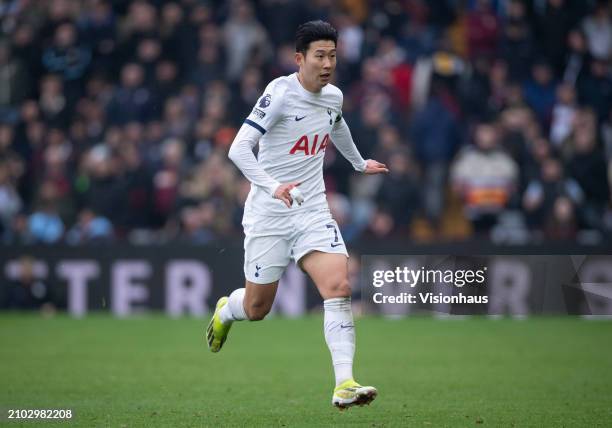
[296,125]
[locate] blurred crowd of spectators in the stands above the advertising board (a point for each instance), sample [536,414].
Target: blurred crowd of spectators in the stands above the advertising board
[494,117]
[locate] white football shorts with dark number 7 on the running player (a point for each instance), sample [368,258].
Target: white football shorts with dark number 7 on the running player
[271,242]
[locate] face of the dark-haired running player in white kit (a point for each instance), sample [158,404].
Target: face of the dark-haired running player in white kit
[318,65]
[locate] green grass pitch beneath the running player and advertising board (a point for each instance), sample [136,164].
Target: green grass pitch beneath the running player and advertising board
[155,371]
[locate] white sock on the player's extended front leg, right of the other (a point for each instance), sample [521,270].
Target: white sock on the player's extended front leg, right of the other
[340,336]
